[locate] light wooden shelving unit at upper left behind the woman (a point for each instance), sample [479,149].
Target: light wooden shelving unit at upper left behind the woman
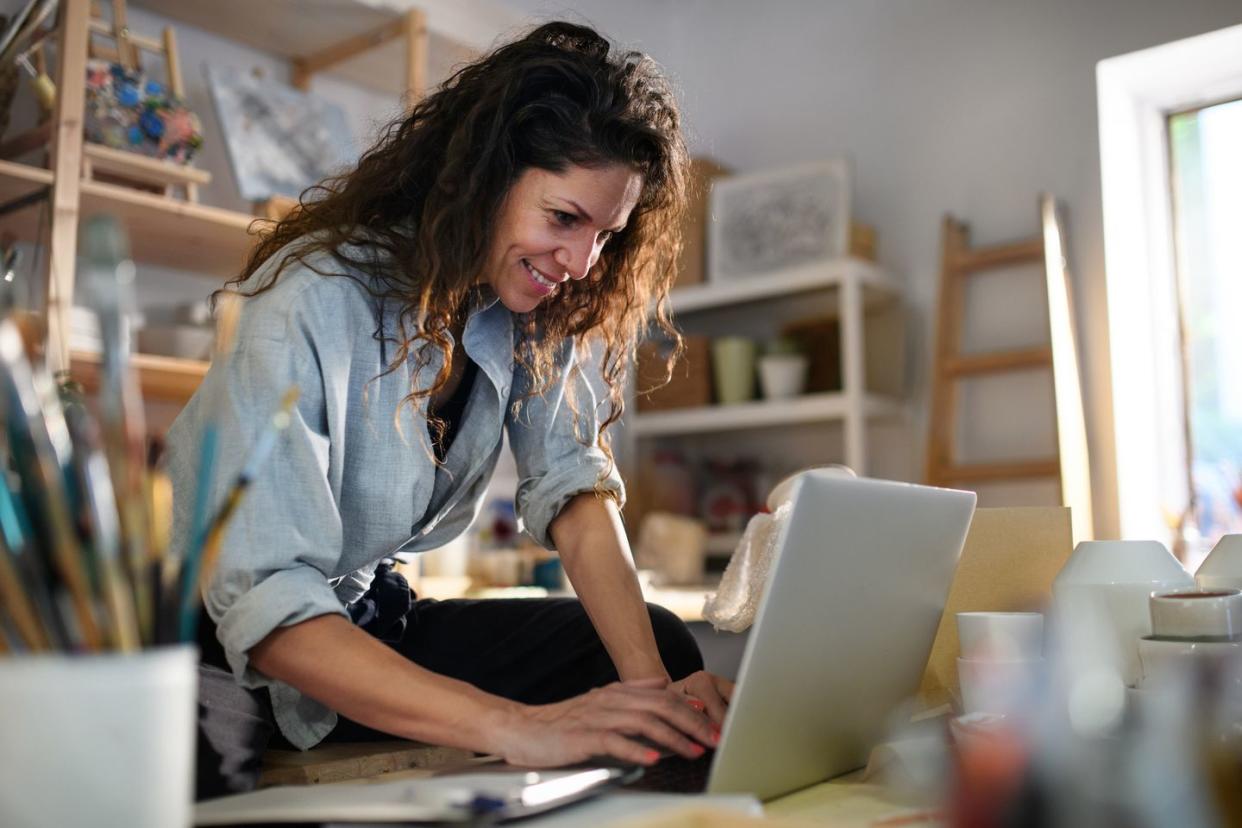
[361,40]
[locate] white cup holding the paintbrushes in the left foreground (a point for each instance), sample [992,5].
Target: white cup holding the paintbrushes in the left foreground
[99,740]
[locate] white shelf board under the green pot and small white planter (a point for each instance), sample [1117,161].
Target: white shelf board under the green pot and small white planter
[812,408]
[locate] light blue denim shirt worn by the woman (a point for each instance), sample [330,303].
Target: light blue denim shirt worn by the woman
[352,480]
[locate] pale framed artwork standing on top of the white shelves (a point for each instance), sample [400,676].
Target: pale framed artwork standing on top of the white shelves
[778,222]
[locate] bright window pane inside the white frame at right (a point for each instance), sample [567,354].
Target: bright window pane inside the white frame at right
[1205,153]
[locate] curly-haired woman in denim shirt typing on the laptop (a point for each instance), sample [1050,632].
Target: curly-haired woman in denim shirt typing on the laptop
[428,301]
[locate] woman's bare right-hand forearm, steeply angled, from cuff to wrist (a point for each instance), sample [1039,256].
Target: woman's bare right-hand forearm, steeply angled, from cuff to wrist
[597,557]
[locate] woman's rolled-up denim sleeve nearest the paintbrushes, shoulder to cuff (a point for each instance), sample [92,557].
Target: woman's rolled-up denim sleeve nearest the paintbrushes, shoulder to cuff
[284,546]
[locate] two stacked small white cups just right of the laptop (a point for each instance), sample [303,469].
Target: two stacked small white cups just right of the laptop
[1002,660]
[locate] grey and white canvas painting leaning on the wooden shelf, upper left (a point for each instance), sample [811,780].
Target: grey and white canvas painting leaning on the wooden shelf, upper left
[280,141]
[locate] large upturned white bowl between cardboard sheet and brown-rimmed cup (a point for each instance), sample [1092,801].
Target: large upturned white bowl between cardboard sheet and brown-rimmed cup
[1101,598]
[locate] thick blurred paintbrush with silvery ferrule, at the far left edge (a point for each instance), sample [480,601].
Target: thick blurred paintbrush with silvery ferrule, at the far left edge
[40,446]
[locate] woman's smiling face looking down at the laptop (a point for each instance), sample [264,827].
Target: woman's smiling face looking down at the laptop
[553,227]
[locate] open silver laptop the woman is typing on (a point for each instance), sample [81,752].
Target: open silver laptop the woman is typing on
[841,637]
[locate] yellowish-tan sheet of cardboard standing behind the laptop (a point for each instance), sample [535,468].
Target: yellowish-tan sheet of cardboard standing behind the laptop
[1008,565]
